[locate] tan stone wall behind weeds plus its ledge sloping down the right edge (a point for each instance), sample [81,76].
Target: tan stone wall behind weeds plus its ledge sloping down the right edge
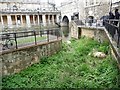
[98,33]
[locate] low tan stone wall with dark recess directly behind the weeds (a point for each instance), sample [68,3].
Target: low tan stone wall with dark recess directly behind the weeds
[92,32]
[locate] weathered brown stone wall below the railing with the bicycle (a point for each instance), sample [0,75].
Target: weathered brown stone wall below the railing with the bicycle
[15,61]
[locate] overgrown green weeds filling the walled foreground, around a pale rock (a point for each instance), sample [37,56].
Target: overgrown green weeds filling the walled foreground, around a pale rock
[72,67]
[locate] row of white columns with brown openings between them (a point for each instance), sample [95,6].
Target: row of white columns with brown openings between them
[27,20]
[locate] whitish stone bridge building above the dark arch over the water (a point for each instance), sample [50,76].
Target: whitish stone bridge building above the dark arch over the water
[72,8]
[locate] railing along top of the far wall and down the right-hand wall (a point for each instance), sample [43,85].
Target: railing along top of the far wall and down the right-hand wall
[111,25]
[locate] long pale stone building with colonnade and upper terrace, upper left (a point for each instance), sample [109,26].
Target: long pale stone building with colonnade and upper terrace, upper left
[27,12]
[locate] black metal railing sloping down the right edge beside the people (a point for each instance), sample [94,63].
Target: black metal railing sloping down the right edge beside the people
[114,30]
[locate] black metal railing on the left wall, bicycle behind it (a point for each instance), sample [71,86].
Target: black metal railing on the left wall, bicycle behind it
[28,38]
